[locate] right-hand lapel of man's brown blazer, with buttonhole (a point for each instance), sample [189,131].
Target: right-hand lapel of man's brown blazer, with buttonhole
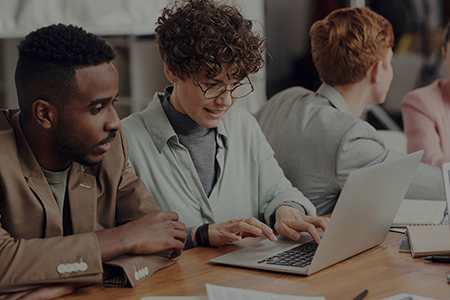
[82,196]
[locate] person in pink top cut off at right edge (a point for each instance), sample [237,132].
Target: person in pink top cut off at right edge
[426,115]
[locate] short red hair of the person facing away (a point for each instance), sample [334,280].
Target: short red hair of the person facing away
[348,42]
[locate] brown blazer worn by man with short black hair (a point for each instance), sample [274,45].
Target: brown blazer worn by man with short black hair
[33,250]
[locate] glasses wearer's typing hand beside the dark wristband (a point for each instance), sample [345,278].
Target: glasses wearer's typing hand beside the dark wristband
[236,229]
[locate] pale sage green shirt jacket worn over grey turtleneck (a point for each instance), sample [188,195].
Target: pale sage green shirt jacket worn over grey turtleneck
[250,182]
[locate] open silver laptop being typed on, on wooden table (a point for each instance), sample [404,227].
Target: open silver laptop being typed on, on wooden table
[360,220]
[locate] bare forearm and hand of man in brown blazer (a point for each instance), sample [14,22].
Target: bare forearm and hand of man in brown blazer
[154,232]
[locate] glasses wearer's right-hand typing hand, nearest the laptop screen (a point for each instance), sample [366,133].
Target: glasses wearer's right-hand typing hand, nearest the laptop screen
[290,222]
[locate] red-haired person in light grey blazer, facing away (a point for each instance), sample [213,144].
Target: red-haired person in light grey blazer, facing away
[319,138]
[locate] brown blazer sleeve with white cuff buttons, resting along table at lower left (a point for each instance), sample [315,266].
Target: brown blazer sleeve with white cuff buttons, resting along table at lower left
[35,262]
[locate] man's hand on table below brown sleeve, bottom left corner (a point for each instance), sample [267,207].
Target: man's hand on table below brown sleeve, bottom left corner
[44,293]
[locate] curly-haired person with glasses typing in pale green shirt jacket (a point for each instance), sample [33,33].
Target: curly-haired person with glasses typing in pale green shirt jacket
[198,153]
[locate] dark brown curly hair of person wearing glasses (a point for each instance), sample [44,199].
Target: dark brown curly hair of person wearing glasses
[202,35]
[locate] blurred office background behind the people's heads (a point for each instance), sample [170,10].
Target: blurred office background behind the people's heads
[128,26]
